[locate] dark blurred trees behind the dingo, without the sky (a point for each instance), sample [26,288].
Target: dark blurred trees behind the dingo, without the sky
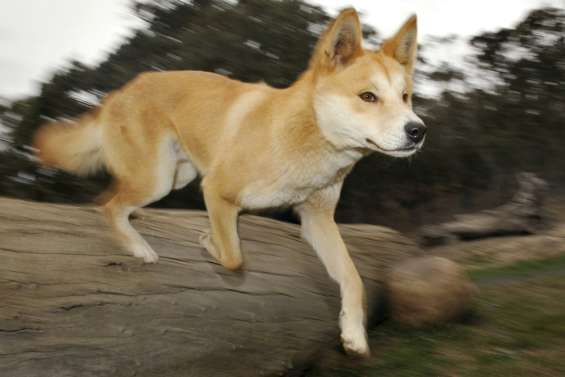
[479,138]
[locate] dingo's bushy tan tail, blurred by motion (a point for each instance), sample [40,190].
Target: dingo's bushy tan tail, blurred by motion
[75,147]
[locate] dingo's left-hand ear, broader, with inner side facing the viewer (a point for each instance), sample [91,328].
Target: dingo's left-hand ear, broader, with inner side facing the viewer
[340,43]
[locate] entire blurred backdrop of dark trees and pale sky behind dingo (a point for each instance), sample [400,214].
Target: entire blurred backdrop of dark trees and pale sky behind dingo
[490,86]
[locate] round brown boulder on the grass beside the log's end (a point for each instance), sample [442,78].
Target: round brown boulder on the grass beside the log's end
[429,290]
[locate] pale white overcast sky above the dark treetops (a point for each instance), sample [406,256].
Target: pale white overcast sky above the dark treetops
[37,36]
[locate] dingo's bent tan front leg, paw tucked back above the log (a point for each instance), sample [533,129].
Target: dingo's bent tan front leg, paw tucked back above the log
[223,241]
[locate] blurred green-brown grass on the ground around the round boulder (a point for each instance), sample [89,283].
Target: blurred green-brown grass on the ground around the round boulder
[518,330]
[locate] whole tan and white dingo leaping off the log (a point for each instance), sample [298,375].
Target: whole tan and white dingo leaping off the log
[254,146]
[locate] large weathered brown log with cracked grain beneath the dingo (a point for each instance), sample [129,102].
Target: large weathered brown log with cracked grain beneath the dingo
[74,304]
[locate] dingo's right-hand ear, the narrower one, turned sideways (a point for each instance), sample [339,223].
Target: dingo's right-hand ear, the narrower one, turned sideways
[402,46]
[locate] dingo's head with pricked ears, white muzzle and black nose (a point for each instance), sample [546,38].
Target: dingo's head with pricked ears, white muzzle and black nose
[362,98]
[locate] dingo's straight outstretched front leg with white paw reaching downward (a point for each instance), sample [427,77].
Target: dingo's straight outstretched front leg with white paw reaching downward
[321,231]
